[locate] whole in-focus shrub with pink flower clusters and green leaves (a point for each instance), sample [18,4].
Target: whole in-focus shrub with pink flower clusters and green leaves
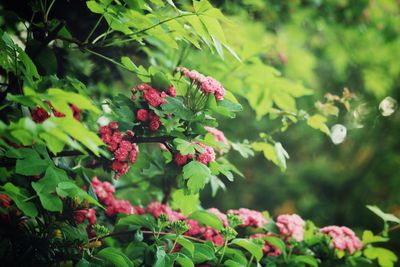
[86,187]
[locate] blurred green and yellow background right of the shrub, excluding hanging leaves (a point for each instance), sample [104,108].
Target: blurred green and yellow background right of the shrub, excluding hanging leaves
[328,45]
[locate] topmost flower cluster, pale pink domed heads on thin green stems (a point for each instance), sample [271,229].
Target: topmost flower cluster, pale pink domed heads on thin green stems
[207,85]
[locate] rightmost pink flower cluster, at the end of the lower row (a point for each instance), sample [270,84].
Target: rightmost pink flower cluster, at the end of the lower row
[343,238]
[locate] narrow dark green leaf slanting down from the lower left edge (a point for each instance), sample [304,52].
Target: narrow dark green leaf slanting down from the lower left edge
[19,196]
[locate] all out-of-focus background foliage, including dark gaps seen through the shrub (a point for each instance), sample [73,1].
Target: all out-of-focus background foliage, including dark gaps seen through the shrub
[291,54]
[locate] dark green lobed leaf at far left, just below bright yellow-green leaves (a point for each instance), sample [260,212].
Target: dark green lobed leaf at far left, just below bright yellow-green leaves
[32,163]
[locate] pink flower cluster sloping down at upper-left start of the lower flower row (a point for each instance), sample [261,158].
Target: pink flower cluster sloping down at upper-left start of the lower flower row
[105,192]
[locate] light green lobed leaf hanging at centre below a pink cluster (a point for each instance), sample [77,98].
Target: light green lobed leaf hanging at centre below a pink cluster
[197,174]
